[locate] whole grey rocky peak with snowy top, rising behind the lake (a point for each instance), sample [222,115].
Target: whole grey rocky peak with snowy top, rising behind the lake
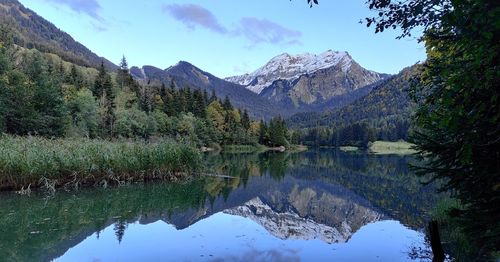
[310,82]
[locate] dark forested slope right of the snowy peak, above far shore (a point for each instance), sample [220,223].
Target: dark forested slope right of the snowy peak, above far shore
[383,114]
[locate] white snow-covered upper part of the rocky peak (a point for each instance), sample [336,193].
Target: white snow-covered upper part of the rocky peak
[290,67]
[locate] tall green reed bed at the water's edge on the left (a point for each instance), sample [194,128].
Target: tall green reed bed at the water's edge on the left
[40,162]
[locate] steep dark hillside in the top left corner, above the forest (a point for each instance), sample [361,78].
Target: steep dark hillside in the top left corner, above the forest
[33,31]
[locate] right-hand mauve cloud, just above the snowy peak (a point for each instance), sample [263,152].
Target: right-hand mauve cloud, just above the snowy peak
[265,31]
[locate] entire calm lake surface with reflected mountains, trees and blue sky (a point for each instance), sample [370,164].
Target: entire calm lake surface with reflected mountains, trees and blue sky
[318,205]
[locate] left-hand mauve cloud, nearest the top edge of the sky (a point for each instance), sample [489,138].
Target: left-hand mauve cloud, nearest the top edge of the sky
[195,15]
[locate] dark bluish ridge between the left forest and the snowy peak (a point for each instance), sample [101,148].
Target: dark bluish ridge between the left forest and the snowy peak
[184,74]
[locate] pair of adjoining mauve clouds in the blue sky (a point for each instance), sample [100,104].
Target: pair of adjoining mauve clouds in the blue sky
[253,29]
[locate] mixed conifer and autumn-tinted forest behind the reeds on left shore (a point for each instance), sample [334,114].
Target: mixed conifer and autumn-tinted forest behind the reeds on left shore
[42,95]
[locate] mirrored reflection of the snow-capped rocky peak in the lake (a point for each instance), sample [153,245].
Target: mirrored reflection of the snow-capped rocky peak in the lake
[308,215]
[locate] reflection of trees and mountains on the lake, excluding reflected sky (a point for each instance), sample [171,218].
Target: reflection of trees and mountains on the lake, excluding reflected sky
[324,194]
